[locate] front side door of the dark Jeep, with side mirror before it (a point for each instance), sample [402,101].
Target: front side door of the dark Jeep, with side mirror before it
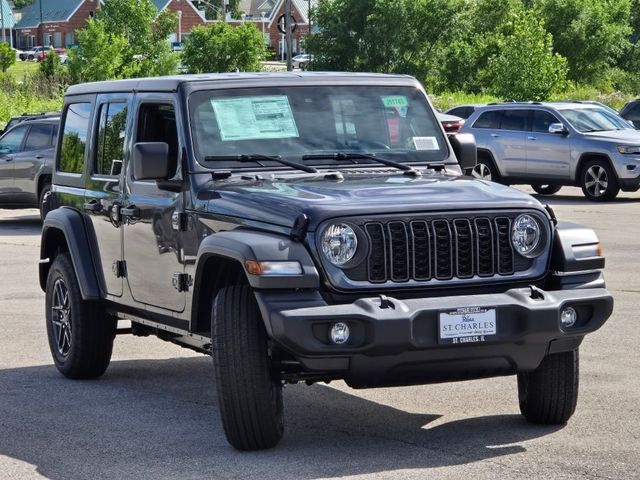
[151,235]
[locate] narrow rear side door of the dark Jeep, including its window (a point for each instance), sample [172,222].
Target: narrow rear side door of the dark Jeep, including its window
[103,198]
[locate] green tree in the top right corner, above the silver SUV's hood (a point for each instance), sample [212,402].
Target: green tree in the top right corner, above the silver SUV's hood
[591,34]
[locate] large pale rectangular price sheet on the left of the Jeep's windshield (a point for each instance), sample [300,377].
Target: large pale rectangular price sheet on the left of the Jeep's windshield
[254,118]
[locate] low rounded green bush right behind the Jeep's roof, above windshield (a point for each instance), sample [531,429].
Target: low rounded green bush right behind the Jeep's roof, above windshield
[218,47]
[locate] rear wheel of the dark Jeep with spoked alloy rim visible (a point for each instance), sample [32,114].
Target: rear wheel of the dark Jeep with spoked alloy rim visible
[80,332]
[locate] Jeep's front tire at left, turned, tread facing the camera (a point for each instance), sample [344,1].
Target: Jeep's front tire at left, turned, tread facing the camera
[250,398]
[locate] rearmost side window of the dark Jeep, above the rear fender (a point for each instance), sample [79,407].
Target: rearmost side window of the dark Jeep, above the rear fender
[74,137]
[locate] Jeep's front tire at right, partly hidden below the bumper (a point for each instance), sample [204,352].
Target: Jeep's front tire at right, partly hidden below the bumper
[549,394]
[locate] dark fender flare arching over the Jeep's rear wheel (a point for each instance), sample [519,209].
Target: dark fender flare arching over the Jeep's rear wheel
[72,226]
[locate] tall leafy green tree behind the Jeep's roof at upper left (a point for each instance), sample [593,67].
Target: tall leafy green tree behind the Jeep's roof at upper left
[127,39]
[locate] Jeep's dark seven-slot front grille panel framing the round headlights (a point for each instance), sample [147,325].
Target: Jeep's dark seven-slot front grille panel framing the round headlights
[438,249]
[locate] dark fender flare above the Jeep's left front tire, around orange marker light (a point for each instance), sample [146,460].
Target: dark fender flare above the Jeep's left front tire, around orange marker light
[242,245]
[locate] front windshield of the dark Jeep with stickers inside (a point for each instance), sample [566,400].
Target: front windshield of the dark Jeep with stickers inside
[311,124]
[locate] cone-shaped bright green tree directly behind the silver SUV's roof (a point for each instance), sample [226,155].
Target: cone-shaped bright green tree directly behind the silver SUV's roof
[526,67]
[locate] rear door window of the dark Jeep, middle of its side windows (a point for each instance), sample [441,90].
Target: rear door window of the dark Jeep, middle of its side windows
[110,144]
